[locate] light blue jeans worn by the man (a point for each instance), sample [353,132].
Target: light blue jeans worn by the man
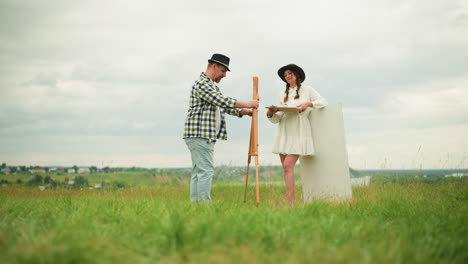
[202,168]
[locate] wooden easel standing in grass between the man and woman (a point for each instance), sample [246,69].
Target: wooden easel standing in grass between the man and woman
[253,146]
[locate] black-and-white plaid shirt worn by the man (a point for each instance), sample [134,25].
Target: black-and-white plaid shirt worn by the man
[205,97]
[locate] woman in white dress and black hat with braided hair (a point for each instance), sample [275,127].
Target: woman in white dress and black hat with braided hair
[294,135]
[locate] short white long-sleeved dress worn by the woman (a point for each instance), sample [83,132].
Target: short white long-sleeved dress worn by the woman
[294,134]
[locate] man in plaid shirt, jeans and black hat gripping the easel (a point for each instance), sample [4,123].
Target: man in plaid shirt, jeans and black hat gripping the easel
[205,123]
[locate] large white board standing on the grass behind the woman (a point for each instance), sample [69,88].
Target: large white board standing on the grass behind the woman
[326,174]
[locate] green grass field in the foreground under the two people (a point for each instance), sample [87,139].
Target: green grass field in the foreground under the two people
[392,222]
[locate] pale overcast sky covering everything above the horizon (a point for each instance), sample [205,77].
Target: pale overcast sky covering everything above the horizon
[107,83]
